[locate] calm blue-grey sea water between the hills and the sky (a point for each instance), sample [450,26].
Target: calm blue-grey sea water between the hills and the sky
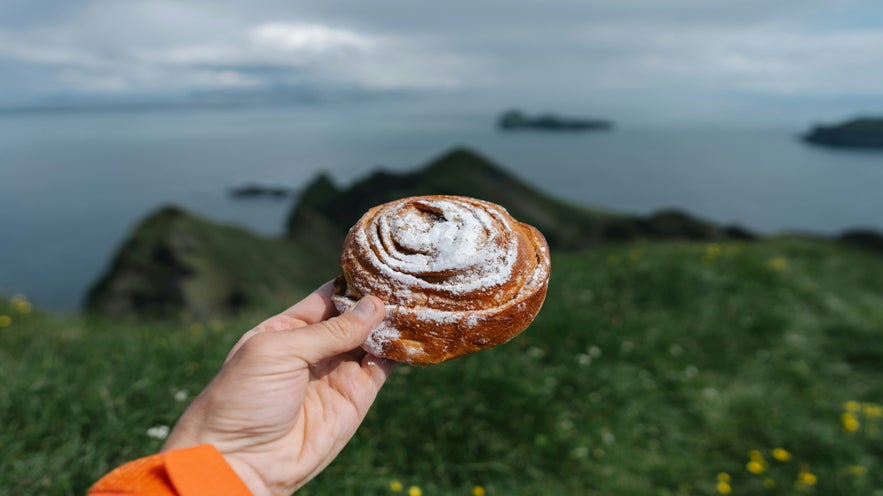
[74,184]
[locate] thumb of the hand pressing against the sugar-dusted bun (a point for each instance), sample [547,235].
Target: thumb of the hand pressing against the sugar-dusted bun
[337,335]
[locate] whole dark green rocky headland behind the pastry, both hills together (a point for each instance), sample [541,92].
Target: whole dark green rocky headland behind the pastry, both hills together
[178,264]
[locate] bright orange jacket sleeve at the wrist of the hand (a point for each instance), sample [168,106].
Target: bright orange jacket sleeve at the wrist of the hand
[197,471]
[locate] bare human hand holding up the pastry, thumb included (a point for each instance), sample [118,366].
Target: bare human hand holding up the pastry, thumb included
[290,395]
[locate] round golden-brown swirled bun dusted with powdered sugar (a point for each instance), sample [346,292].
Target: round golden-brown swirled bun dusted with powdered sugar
[457,274]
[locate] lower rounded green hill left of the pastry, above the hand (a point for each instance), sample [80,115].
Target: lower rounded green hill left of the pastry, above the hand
[178,264]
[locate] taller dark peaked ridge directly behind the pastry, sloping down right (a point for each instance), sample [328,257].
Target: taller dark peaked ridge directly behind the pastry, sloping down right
[329,210]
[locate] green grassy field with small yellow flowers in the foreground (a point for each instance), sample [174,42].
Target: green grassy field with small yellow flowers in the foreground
[657,368]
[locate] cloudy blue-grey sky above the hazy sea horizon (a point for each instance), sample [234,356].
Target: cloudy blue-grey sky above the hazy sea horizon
[644,60]
